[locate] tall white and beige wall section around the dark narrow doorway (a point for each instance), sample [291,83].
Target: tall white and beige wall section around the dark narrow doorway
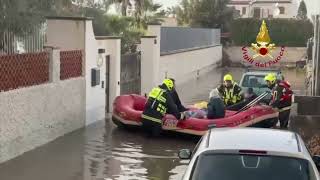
[79,35]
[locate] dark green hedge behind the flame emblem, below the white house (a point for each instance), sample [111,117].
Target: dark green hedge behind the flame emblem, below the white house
[283,32]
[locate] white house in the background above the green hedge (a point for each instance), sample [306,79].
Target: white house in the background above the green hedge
[265,8]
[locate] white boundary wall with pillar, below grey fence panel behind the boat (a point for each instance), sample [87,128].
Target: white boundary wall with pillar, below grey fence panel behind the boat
[181,65]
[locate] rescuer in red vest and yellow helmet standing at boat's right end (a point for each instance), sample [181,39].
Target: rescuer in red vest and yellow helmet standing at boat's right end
[281,98]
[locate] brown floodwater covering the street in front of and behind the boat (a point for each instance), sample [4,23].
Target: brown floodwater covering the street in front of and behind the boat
[104,152]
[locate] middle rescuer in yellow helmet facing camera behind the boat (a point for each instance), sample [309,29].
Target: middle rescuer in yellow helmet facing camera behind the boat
[230,91]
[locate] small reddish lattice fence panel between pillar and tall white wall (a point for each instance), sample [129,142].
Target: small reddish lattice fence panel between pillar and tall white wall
[70,64]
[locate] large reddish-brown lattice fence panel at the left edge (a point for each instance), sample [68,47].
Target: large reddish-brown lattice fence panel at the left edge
[22,70]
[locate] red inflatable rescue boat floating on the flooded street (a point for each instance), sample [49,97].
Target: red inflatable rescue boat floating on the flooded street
[127,110]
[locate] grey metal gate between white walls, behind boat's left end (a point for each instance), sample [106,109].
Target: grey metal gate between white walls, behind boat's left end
[130,73]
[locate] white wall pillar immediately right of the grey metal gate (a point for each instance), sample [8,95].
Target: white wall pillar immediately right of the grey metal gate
[150,55]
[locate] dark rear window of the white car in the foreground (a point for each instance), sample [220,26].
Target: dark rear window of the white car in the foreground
[250,167]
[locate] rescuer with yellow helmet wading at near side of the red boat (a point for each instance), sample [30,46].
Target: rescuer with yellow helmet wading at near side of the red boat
[158,104]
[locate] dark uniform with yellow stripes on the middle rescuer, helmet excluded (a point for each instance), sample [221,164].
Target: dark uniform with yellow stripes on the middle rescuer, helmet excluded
[231,95]
